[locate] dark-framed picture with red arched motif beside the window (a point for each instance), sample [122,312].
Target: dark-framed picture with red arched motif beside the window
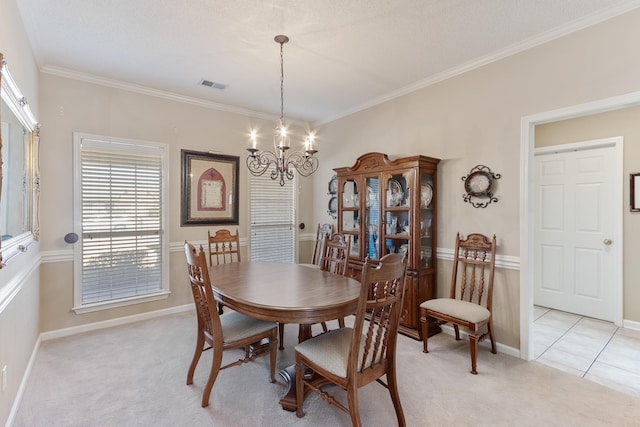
[209,188]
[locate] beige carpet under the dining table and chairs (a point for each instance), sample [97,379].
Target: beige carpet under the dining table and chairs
[135,375]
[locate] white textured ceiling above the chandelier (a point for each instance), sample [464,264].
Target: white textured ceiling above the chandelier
[344,55]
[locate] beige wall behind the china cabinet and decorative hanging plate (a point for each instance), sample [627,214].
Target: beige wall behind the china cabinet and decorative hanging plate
[475,119]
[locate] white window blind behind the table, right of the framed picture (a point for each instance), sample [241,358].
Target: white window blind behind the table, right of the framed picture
[273,219]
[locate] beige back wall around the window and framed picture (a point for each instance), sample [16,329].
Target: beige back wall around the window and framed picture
[70,106]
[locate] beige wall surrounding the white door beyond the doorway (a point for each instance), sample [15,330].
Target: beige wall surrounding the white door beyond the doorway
[625,123]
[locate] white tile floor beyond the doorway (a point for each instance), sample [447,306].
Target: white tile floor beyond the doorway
[592,349]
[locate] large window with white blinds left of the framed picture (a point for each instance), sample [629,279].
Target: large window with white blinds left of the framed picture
[119,201]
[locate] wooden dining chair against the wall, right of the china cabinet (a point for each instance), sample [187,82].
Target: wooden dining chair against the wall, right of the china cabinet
[471,294]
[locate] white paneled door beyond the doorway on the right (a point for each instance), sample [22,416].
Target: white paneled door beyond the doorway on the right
[575,253]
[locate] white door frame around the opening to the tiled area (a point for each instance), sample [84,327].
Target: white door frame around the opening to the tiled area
[527,199]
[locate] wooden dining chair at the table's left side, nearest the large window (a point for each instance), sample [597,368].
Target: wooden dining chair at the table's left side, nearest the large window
[224,332]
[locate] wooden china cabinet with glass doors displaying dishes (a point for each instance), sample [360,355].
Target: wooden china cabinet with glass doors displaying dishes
[390,206]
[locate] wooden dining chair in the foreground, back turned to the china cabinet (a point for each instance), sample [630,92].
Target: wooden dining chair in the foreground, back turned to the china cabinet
[354,357]
